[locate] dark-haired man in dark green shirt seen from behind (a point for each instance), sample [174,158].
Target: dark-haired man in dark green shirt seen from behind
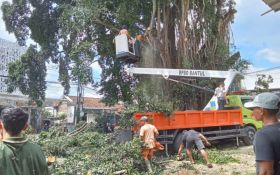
[17,155]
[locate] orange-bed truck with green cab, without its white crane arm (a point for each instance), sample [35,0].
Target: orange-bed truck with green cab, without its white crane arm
[234,122]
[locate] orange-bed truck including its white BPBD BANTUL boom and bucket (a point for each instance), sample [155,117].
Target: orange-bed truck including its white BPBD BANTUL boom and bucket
[233,122]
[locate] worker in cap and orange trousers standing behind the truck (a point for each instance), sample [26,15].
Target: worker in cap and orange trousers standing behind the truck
[148,133]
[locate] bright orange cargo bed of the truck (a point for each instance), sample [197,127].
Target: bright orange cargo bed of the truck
[193,119]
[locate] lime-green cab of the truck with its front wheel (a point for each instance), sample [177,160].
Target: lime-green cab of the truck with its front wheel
[250,123]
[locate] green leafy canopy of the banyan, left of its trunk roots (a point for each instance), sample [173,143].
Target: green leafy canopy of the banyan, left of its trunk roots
[74,34]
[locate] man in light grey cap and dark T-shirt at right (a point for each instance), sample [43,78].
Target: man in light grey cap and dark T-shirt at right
[267,140]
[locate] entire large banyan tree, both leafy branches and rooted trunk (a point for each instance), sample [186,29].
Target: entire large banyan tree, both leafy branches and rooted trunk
[191,34]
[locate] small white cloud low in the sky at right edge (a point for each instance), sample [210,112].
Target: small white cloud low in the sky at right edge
[269,54]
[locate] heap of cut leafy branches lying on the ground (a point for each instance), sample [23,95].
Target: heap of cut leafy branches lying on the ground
[91,153]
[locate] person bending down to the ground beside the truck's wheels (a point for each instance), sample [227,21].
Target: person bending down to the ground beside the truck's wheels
[188,139]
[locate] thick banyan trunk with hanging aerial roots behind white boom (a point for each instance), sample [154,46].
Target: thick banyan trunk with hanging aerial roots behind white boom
[190,34]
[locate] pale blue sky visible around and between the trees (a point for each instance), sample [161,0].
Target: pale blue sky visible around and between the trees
[256,37]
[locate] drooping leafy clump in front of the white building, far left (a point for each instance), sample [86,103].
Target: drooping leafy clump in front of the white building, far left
[28,75]
